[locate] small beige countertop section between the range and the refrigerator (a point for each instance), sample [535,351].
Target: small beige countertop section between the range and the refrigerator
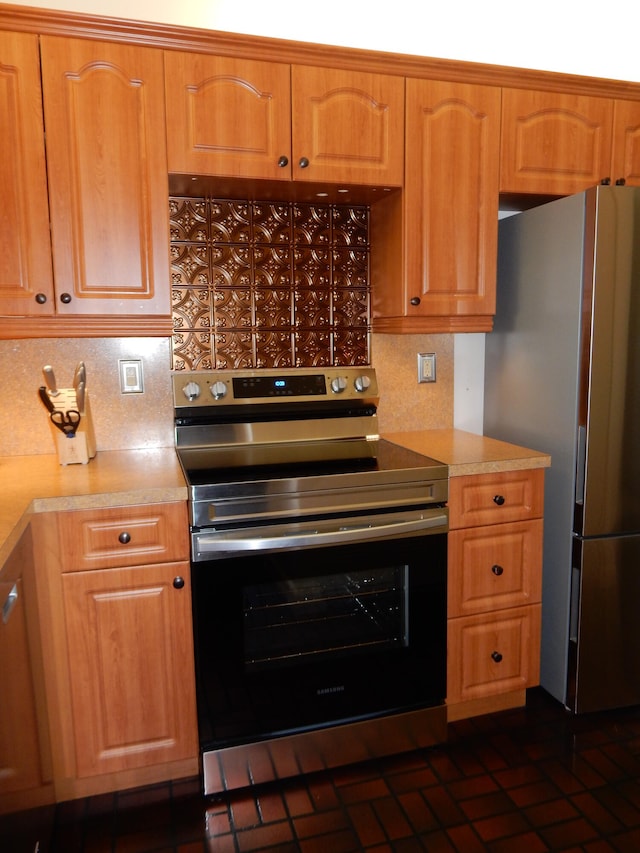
[468,453]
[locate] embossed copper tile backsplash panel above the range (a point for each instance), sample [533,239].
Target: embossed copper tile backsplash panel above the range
[262,285]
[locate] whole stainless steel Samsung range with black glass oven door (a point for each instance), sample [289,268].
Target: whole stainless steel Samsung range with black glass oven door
[319,574]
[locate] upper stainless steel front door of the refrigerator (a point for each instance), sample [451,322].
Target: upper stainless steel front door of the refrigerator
[610,359]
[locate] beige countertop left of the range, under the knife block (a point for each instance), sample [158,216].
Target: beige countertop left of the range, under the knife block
[39,483]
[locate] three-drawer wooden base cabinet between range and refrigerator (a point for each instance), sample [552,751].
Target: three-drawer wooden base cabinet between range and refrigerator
[494,590]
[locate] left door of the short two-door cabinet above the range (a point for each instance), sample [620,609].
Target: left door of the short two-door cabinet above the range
[227,116]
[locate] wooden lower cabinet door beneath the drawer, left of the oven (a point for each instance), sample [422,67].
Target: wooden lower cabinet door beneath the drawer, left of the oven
[130,652]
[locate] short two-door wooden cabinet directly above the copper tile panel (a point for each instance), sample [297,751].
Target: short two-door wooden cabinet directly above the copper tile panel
[249,119]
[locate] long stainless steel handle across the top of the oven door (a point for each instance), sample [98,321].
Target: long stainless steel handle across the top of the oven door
[212,543]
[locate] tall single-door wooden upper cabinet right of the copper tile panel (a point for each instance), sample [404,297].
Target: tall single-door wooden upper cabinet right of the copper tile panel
[448,237]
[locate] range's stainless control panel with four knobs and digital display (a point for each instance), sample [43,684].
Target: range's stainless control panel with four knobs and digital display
[242,387]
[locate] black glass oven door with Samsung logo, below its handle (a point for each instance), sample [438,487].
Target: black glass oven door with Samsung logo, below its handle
[302,638]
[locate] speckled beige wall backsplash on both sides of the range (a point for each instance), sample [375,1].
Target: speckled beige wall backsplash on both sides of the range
[124,422]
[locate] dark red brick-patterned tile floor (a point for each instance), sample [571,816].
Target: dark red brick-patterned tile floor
[535,779]
